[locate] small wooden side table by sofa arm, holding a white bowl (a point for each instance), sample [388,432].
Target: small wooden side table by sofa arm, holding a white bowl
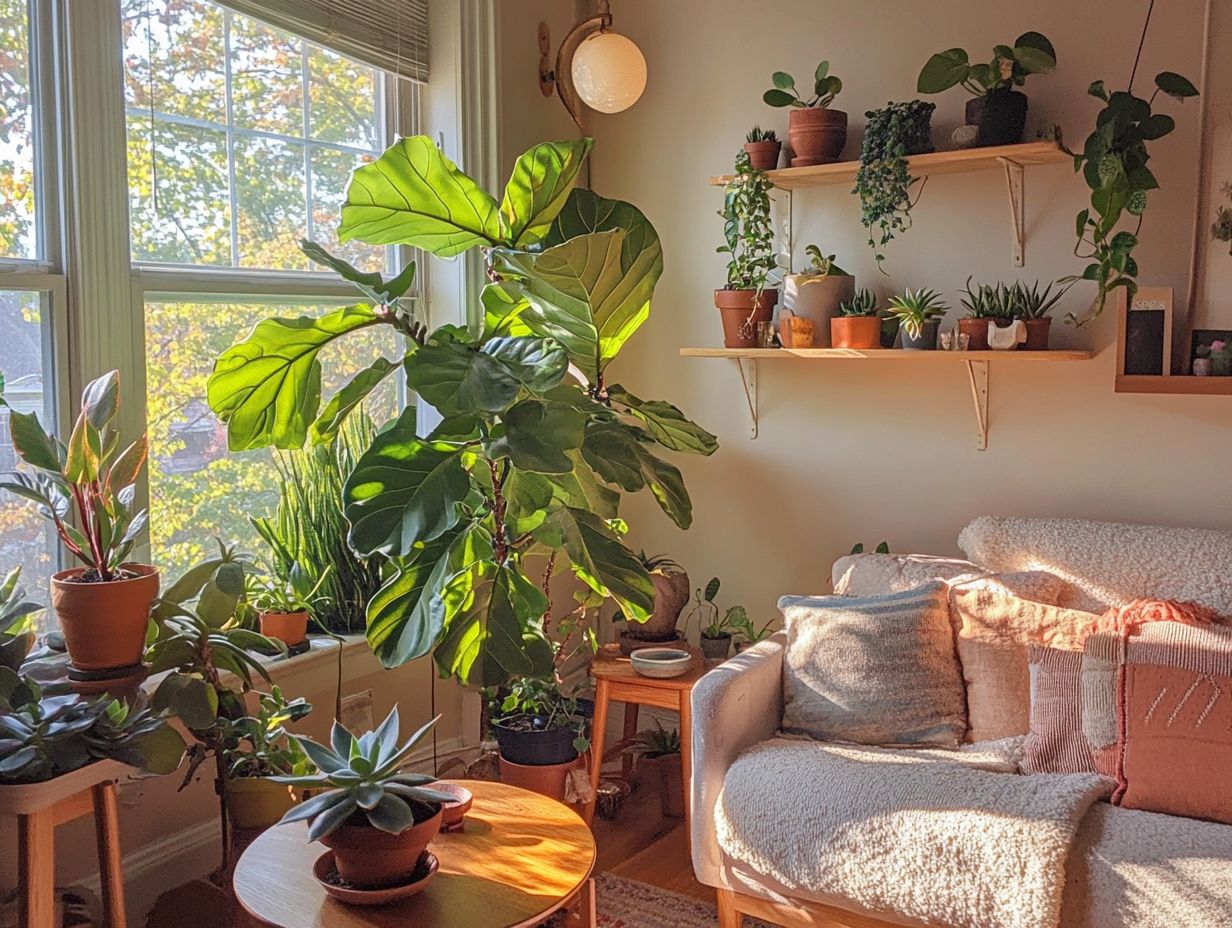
[617,680]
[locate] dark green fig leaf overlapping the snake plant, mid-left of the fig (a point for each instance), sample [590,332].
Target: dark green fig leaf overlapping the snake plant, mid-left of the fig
[405,491]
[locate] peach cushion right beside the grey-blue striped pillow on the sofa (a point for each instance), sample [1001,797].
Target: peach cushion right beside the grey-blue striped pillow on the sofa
[995,630]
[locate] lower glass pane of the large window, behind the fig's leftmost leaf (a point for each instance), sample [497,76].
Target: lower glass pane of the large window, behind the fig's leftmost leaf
[198,489]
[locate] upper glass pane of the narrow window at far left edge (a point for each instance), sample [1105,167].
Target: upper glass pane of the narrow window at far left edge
[19,236]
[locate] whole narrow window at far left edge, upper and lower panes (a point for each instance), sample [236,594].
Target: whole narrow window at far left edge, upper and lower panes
[33,288]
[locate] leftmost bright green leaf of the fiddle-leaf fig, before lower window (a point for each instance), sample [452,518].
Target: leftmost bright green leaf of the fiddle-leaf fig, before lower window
[268,388]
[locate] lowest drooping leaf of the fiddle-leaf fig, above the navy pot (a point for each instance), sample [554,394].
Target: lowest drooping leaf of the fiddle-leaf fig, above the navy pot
[493,611]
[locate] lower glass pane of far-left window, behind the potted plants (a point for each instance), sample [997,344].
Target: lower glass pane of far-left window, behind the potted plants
[25,537]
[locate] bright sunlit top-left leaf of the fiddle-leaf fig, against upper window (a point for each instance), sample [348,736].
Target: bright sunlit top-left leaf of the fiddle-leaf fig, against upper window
[413,195]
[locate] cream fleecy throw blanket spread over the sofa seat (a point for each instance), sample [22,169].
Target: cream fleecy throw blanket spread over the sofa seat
[928,835]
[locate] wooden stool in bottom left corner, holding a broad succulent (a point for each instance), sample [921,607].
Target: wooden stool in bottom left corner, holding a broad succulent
[40,808]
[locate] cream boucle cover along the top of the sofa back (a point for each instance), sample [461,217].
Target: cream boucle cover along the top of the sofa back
[1113,564]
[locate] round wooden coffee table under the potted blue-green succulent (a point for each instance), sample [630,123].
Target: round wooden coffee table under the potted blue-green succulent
[519,860]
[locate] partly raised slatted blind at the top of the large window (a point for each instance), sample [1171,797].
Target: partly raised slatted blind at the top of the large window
[391,35]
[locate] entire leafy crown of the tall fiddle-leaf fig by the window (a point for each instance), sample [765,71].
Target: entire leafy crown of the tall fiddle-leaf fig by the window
[535,446]
